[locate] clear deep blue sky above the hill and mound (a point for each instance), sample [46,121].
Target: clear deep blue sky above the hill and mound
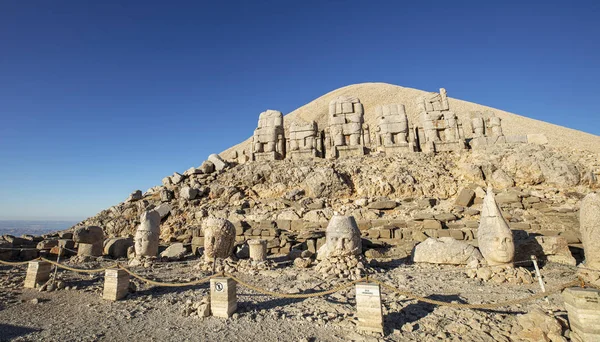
[99,98]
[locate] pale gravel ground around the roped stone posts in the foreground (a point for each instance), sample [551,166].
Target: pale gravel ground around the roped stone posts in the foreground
[78,313]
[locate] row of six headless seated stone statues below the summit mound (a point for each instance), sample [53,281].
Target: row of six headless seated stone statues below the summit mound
[348,135]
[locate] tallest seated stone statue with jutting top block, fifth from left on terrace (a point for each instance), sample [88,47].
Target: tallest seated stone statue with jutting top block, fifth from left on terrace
[441,130]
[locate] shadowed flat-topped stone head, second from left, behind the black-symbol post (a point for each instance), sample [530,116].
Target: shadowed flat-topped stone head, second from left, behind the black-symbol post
[219,237]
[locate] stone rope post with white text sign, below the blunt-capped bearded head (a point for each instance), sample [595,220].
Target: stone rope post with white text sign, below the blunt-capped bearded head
[368,307]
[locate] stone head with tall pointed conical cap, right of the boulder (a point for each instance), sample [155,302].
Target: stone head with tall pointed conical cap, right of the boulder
[494,236]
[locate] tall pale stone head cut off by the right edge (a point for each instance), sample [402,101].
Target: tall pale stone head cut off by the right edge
[589,219]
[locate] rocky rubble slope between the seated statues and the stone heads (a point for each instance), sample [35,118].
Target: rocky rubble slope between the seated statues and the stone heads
[539,188]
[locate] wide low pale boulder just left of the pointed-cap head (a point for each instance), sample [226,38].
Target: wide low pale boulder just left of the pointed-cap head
[445,250]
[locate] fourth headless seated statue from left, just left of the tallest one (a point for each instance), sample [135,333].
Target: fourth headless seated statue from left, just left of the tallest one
[393,133]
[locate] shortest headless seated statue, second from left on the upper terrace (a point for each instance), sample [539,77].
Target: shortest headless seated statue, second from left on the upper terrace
[304,141]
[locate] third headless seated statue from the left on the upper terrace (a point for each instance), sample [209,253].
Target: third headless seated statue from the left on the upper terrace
[347,134]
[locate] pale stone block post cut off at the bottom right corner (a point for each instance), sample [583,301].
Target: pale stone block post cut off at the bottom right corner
[583,307]
